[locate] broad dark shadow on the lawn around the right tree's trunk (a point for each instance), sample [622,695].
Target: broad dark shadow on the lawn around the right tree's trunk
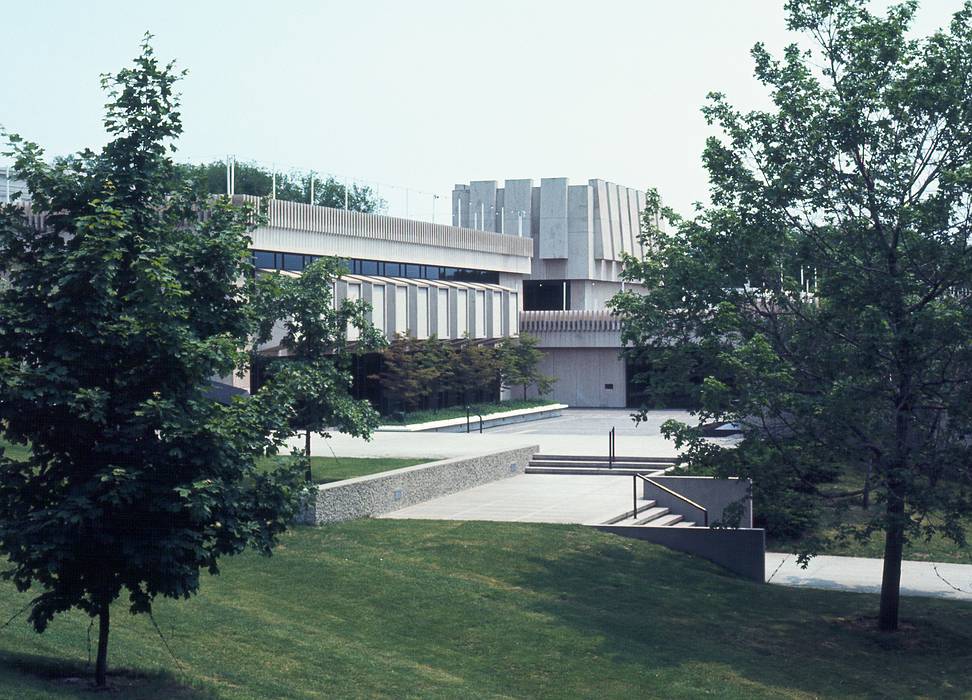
[661,609]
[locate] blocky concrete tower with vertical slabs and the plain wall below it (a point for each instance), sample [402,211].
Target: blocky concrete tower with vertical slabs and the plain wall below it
[581,233]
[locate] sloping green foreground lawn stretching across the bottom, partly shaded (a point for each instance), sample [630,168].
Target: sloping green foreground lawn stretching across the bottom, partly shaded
[385,608]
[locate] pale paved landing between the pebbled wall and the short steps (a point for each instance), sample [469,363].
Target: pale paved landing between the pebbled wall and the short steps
[531,498]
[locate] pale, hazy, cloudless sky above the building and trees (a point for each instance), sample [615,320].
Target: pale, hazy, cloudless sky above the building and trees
[412,96]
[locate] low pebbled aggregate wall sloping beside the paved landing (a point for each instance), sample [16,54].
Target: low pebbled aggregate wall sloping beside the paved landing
[382,493]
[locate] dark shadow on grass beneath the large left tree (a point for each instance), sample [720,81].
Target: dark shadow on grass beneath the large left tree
[71,679]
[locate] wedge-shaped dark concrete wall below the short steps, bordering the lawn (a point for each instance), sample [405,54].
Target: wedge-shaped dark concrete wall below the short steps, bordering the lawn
[742,551]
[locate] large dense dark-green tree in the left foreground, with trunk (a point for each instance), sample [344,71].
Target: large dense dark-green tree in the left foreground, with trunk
[115,314]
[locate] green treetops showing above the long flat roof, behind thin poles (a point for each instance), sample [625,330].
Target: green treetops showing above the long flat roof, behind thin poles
[250,178]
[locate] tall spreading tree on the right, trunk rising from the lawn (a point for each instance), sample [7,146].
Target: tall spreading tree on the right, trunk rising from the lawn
[827,285]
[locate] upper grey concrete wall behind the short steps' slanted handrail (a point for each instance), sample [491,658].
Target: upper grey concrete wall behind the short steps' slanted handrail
[713,494]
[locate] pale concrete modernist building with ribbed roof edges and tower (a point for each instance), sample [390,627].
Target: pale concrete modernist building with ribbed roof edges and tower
[520,256]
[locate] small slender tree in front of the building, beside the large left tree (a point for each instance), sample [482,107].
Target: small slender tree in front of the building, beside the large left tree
[315,335]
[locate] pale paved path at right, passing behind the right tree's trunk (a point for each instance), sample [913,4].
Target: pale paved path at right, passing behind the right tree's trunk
[918,578]
